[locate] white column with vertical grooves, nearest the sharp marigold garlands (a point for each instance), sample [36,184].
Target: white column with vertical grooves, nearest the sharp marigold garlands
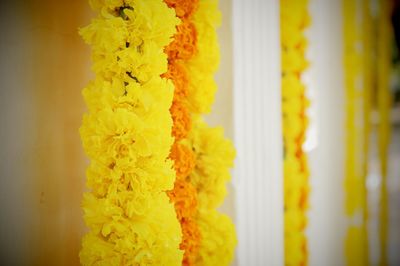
[257,132]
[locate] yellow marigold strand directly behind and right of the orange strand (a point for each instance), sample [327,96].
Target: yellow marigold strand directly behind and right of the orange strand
[213,153]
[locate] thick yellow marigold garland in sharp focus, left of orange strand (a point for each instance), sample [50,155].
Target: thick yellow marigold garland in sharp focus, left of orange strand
[127,136]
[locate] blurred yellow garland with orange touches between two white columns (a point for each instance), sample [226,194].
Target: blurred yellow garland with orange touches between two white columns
[294,19]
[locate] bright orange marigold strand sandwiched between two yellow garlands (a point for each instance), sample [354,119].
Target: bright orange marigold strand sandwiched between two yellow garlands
[184,194]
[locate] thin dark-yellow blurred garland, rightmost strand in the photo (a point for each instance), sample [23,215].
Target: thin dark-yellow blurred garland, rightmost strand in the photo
[384,58]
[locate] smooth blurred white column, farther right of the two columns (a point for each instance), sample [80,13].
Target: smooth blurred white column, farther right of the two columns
[326,228]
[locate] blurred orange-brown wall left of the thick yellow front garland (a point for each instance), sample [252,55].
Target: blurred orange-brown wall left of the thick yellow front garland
[44,66]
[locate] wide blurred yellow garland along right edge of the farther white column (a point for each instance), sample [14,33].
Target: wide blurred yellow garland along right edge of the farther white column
[358,82]
